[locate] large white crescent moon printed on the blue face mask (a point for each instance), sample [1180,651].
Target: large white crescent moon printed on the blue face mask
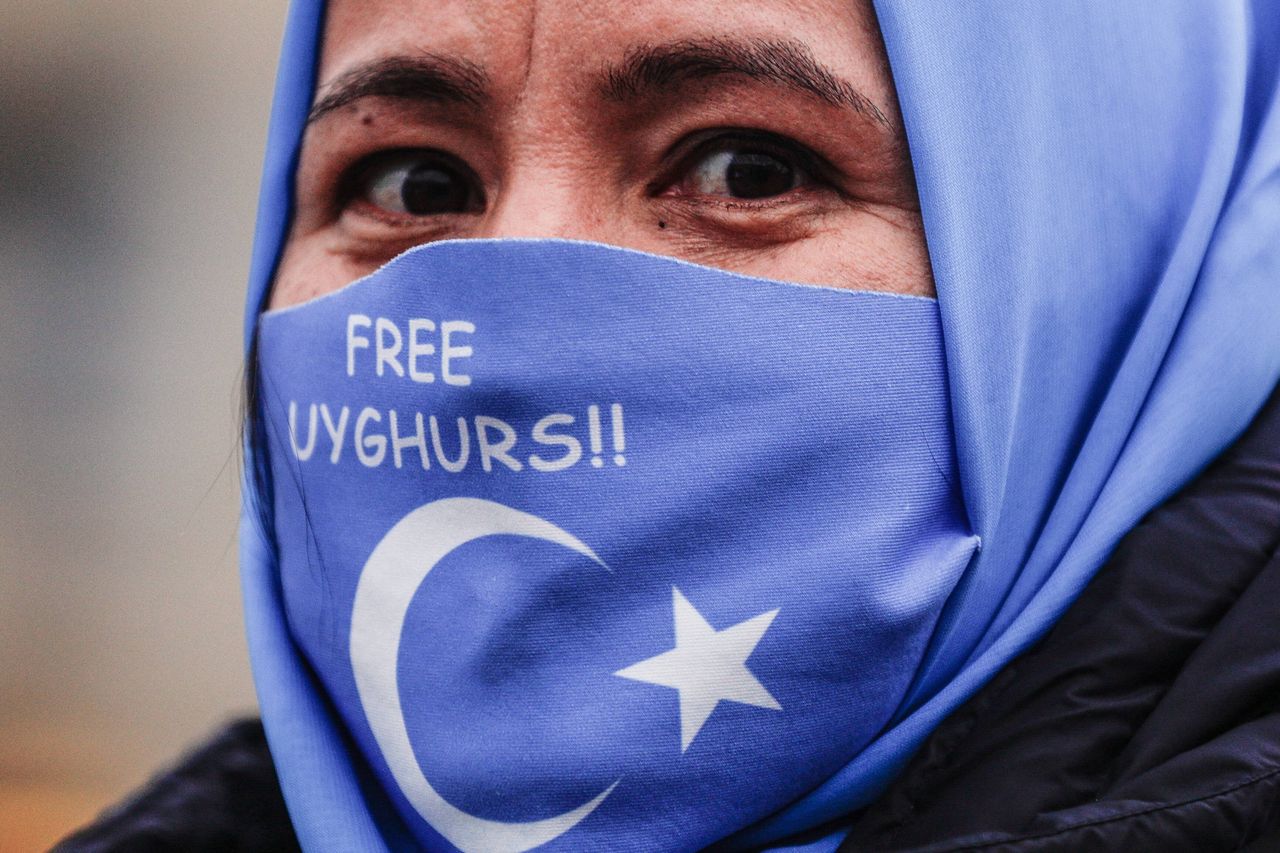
[387,585]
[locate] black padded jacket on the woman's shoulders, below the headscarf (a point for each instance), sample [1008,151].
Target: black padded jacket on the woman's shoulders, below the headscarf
[1149,719]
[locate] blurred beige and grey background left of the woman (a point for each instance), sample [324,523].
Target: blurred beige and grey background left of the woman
[131,135]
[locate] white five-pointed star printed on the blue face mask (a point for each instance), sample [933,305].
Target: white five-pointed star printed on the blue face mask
[707,667]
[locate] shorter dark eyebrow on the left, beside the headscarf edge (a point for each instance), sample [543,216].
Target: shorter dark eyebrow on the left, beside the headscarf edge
[427,77]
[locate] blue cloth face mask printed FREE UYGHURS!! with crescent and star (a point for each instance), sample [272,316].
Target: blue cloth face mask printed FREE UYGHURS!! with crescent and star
[602,550]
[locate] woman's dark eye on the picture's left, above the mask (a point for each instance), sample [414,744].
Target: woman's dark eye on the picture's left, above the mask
[419,184]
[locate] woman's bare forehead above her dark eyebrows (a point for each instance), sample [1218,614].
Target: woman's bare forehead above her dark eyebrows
[561,42]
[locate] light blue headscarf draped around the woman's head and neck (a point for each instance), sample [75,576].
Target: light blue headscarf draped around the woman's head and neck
[1101,198]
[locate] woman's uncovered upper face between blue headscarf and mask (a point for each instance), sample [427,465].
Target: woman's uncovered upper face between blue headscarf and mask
[757,136]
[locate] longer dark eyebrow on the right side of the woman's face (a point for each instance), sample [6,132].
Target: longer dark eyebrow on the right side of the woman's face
[790,65]
